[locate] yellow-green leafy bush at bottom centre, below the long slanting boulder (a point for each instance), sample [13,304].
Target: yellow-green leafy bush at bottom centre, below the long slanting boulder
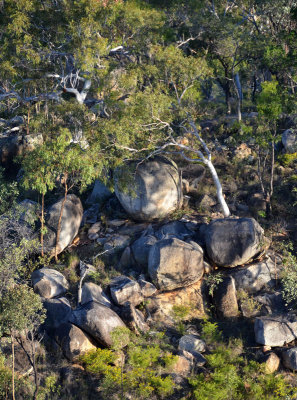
[139,373]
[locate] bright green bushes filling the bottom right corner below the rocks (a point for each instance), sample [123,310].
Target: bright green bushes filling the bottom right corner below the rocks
[230,376]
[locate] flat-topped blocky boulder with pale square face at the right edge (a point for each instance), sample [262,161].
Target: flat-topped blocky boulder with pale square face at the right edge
[275,330]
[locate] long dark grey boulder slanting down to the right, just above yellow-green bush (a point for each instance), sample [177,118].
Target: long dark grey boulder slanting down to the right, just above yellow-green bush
[98,321]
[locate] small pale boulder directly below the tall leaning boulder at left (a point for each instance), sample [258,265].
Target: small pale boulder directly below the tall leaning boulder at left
[49,283]
